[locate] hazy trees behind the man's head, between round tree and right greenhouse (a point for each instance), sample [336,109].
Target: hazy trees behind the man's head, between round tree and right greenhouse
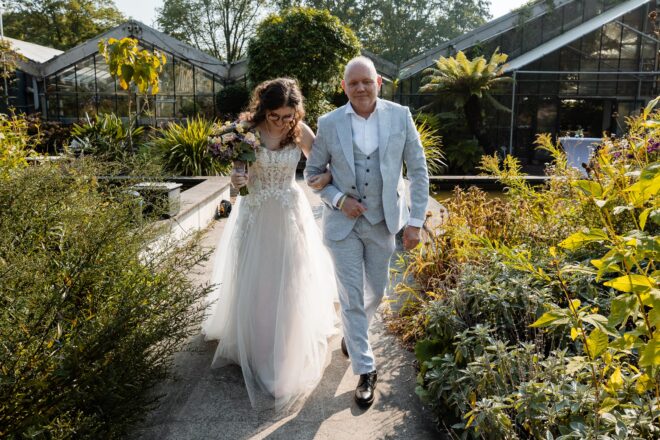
[399,30]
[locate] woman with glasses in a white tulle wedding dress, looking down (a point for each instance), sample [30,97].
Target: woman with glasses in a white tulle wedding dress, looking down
[273,308]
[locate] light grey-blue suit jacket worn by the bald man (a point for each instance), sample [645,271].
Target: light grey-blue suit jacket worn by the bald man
[398,142]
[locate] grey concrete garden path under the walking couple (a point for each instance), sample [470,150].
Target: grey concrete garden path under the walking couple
[204,403]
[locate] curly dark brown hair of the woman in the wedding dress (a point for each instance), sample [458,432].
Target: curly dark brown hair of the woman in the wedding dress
[271,95]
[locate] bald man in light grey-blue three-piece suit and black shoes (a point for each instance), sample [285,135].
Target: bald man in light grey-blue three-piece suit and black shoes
[365,144]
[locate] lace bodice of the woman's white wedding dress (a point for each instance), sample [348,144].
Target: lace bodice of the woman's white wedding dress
[273,175]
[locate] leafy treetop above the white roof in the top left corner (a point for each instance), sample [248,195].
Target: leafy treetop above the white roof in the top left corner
[61,24]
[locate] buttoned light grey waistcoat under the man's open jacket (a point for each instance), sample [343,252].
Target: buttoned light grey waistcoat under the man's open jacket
[369,184]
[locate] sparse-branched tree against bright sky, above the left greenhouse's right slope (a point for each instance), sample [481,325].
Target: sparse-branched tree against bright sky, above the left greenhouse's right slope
[220,27]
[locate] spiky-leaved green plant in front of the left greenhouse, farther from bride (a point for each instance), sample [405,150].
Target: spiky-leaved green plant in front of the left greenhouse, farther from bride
[105,136]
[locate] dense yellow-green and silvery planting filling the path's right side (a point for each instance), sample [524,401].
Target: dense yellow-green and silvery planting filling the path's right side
[537,315]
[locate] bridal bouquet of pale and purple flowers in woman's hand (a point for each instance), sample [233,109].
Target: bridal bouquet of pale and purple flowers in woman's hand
[234,142]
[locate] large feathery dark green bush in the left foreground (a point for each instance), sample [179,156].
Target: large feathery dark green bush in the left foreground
[90,311]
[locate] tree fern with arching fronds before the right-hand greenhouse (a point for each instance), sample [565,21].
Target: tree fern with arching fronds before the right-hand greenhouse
[466,83]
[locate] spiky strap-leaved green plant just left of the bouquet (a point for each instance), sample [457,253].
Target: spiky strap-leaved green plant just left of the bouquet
[184,149]
